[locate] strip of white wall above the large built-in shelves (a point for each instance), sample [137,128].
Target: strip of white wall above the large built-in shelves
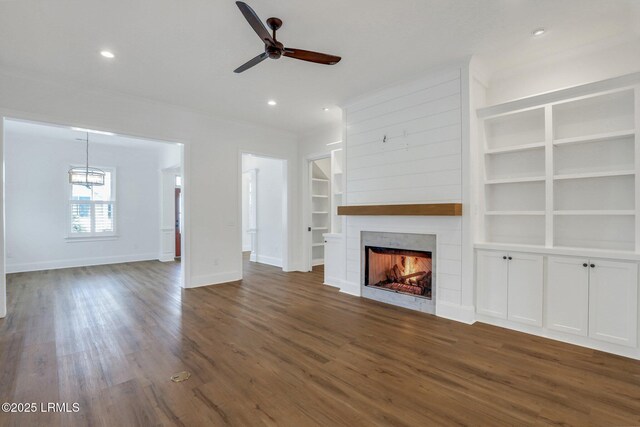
[582,66]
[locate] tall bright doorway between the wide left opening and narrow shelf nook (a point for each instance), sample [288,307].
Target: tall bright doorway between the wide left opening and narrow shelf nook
[264,209]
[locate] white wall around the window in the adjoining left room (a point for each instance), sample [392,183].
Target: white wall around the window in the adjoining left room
[36,204]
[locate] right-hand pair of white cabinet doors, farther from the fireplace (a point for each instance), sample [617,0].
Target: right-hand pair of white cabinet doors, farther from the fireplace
[595,298]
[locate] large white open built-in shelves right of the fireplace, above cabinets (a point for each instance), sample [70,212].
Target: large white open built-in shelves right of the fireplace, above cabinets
[563,174]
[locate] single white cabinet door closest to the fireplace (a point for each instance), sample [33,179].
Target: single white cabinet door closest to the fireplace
[492,284]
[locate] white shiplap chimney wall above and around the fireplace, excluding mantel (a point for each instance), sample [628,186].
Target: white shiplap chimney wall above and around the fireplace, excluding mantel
[421,162]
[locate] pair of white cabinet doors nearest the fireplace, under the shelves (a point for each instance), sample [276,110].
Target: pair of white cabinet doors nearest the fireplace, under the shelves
[510,286]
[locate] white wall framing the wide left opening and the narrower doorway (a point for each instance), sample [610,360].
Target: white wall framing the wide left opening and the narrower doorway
[212,147]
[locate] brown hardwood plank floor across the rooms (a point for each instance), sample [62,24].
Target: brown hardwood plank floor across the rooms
[281,349]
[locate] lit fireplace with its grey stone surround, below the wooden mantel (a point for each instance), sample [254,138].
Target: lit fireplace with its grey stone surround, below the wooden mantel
[399,268]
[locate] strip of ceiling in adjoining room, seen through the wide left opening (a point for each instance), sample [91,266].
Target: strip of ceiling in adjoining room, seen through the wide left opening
[19,130]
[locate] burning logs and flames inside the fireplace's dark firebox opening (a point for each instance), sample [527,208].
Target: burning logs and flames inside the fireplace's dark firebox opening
[399,270]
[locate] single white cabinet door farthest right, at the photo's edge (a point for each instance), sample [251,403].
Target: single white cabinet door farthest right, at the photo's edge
[613,302]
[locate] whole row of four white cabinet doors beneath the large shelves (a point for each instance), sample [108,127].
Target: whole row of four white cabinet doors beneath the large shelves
[593,298]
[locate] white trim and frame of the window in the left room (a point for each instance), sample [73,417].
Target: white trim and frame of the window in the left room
[93,236]
